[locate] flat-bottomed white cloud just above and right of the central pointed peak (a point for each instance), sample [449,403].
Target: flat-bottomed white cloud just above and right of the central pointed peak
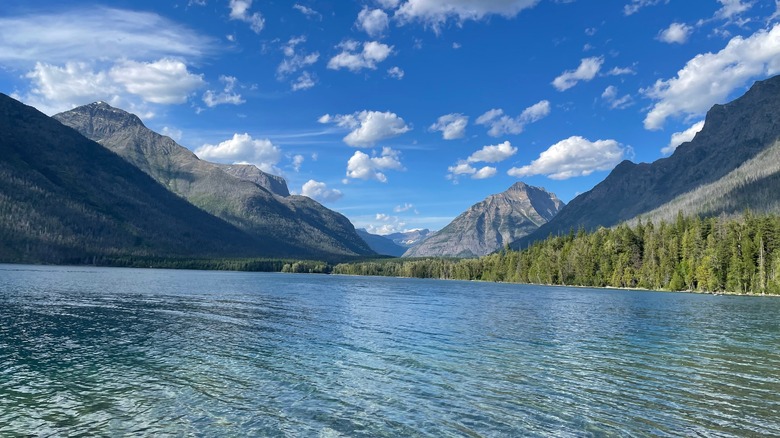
[574,156]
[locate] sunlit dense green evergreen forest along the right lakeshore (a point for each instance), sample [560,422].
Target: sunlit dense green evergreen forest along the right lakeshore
[717,254]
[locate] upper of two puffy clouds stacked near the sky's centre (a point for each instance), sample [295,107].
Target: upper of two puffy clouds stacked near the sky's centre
[368,127]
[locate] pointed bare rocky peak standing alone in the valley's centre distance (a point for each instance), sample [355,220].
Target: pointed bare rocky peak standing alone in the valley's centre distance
[488,225]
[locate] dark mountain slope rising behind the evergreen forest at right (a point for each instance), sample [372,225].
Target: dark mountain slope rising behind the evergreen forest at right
[721,170]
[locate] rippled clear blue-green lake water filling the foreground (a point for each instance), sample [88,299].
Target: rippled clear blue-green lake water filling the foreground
[150,352]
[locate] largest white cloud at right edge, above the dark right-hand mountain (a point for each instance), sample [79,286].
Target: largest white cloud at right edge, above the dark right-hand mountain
[710,78]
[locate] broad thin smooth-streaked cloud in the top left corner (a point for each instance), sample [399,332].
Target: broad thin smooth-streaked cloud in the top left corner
[79,35]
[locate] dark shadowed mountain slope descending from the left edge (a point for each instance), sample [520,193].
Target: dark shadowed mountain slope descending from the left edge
[67,199]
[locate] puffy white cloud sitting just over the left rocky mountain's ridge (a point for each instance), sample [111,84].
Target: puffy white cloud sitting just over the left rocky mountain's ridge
[243,149]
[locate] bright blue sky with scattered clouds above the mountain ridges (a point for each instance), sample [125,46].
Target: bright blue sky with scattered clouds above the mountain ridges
[400,114]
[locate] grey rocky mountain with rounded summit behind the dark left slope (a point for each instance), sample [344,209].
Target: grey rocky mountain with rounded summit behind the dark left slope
[242,195]
